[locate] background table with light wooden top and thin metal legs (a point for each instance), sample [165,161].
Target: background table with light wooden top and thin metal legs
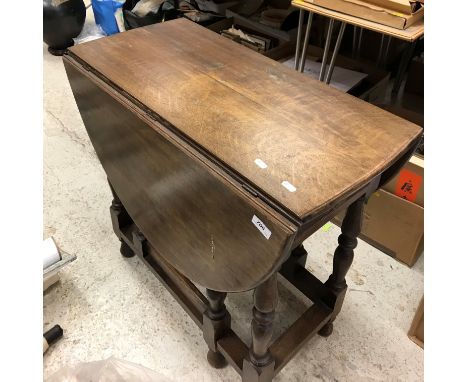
[411,35]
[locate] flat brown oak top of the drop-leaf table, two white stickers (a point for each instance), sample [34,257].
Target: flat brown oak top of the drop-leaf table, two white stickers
[247,110]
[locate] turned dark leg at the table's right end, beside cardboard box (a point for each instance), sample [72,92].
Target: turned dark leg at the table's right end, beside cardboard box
[343,258]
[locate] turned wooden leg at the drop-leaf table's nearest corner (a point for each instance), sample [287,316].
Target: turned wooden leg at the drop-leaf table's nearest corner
[260,365]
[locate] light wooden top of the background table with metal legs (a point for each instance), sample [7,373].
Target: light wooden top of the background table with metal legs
[412,33]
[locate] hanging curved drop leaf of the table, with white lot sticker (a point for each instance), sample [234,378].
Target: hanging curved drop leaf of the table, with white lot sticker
[198,221]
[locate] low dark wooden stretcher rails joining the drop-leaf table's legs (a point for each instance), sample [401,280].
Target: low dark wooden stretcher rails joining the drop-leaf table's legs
[233,349]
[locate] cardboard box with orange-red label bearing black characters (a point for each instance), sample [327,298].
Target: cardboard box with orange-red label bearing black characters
[409,182]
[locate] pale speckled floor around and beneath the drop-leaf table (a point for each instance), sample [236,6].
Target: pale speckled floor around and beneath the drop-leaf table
[112,306]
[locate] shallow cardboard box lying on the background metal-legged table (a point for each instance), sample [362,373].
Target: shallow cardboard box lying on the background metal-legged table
[372,12]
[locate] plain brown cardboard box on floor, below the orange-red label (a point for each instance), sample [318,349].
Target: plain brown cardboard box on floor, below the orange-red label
[393,225]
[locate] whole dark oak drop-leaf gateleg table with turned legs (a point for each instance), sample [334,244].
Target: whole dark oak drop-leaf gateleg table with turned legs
[221,163]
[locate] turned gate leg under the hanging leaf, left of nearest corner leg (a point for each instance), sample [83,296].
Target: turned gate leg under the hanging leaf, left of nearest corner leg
[216,320]
